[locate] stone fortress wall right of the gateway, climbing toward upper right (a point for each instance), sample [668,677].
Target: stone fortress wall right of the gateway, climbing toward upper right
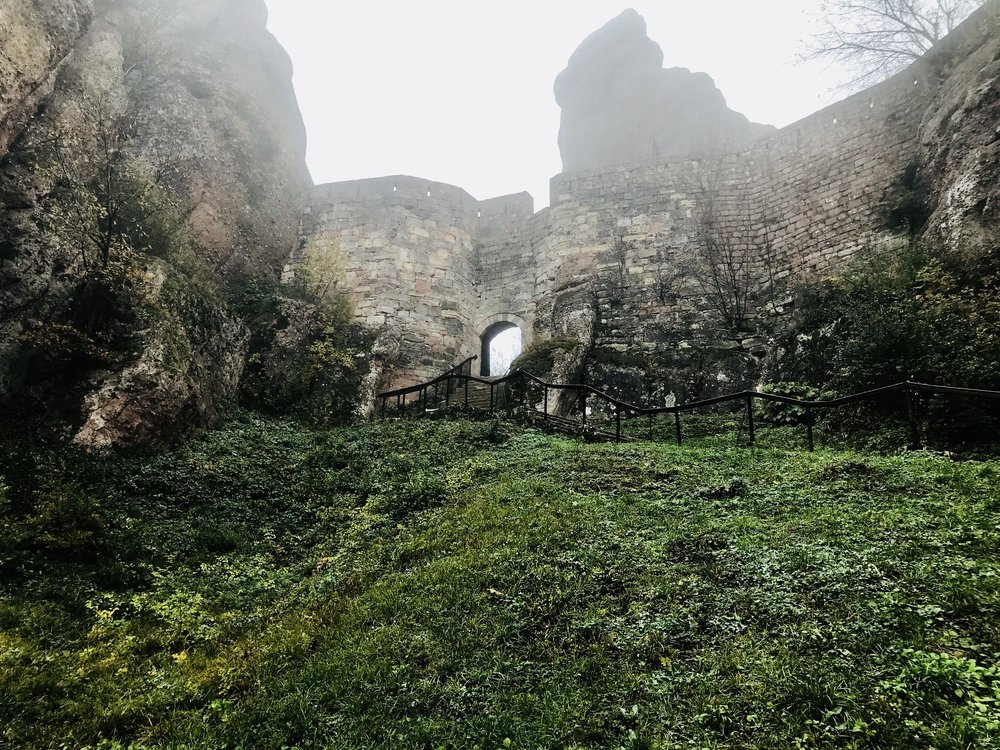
[817,190]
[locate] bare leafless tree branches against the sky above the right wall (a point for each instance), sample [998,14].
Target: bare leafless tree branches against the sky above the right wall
[875,38]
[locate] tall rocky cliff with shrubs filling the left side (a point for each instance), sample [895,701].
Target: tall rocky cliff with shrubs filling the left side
[161,167]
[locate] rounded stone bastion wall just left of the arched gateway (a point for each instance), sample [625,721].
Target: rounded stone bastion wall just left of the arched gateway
[409,263]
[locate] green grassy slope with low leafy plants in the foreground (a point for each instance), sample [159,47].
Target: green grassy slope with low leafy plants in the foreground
[458,584]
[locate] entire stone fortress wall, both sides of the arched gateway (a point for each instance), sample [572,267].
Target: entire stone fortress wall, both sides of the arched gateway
[434,267]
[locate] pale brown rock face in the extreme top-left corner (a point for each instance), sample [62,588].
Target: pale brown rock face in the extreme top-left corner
[36,37]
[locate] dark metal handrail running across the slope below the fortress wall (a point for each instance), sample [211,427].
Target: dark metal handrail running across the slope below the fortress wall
[908,388]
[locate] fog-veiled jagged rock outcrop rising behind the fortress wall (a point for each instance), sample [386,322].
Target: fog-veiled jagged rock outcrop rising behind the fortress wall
[621,107]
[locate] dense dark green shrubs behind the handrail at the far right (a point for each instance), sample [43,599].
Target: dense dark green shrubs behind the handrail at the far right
[916,314]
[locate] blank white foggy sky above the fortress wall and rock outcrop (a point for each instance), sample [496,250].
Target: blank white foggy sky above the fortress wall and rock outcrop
[460,91]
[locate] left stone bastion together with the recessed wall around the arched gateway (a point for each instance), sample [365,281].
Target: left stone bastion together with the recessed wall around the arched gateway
[426,263]
